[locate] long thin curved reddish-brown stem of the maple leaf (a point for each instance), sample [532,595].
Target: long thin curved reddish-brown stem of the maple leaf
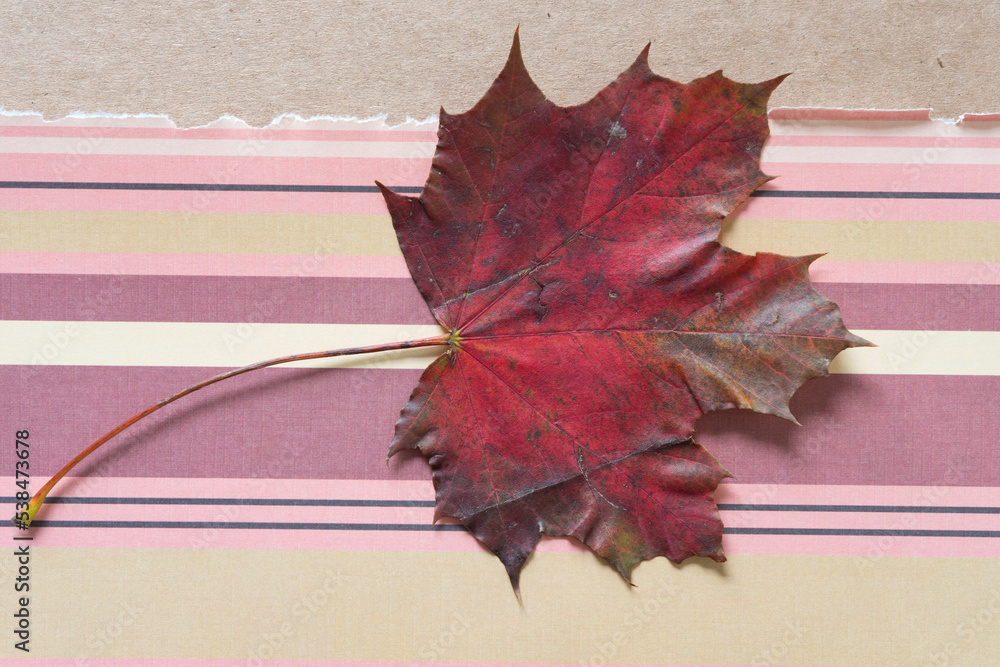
[24,518]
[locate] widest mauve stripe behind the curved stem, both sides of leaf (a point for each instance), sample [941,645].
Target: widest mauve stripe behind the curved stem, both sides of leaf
[336,424]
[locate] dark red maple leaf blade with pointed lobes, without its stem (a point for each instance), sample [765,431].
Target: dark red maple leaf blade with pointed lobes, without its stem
[572,254]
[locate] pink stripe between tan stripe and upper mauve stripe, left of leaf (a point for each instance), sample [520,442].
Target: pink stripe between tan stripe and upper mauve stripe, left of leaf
[162,264]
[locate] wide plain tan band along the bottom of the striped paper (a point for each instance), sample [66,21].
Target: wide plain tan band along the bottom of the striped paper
[458,608]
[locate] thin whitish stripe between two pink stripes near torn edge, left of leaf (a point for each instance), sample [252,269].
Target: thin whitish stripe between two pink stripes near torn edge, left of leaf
[241,148]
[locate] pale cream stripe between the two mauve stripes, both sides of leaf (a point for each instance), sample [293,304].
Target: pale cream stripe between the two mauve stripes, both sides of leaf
[227,345]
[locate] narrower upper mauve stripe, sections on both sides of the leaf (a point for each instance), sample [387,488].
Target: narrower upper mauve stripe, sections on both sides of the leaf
[396,301]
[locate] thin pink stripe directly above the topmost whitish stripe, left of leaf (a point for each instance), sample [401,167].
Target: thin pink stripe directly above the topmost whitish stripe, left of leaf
[96,133]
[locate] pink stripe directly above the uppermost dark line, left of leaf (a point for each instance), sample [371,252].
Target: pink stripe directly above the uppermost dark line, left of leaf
[215,169]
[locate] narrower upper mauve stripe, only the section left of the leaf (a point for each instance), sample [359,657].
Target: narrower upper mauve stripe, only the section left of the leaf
[212,299]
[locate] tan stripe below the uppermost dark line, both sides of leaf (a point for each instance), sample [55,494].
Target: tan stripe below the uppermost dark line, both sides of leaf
[230,233]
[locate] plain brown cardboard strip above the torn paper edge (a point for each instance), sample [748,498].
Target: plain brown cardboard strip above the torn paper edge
[196,61]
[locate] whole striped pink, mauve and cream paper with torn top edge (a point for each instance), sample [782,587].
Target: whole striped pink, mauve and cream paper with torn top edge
[258,520]
